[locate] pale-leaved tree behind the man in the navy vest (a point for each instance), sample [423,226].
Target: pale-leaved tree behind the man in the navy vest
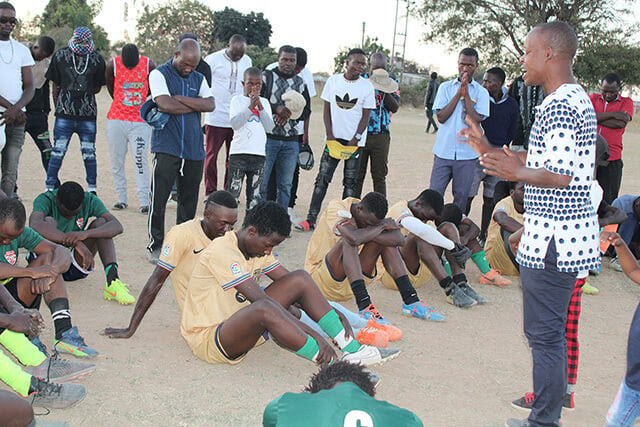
[160,27]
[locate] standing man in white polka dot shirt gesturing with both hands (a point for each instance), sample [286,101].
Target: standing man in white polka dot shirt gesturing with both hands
[560,223]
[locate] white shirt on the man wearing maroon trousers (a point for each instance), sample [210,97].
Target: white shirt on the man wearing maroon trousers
[226,82]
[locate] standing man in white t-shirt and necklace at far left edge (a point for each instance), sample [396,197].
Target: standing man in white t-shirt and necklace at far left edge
[16,90]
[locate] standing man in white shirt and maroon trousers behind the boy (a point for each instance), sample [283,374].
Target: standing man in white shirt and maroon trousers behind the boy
[227,68]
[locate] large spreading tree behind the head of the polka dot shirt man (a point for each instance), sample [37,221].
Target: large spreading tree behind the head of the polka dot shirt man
[497,28]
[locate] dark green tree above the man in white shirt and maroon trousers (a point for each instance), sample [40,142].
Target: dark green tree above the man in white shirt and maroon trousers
[253,26]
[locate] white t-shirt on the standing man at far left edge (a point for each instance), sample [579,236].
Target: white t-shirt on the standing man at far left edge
[14,56]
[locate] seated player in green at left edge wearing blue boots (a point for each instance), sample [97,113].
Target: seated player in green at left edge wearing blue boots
[41,278]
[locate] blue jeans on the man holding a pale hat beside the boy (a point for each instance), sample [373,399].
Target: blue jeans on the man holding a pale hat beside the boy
[281,156]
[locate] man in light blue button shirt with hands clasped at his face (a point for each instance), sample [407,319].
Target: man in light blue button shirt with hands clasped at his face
[454,101]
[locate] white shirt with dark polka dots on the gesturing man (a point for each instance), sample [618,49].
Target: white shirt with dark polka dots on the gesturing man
[563,141]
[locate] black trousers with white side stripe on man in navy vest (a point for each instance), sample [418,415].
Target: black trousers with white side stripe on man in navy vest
[166,169]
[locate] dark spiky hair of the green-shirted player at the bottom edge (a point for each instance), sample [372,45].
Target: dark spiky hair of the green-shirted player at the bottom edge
[340,372]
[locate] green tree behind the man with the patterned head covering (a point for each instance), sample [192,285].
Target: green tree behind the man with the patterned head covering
[61,17]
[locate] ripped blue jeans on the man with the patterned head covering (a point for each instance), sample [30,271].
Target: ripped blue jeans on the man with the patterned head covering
[63,130]
